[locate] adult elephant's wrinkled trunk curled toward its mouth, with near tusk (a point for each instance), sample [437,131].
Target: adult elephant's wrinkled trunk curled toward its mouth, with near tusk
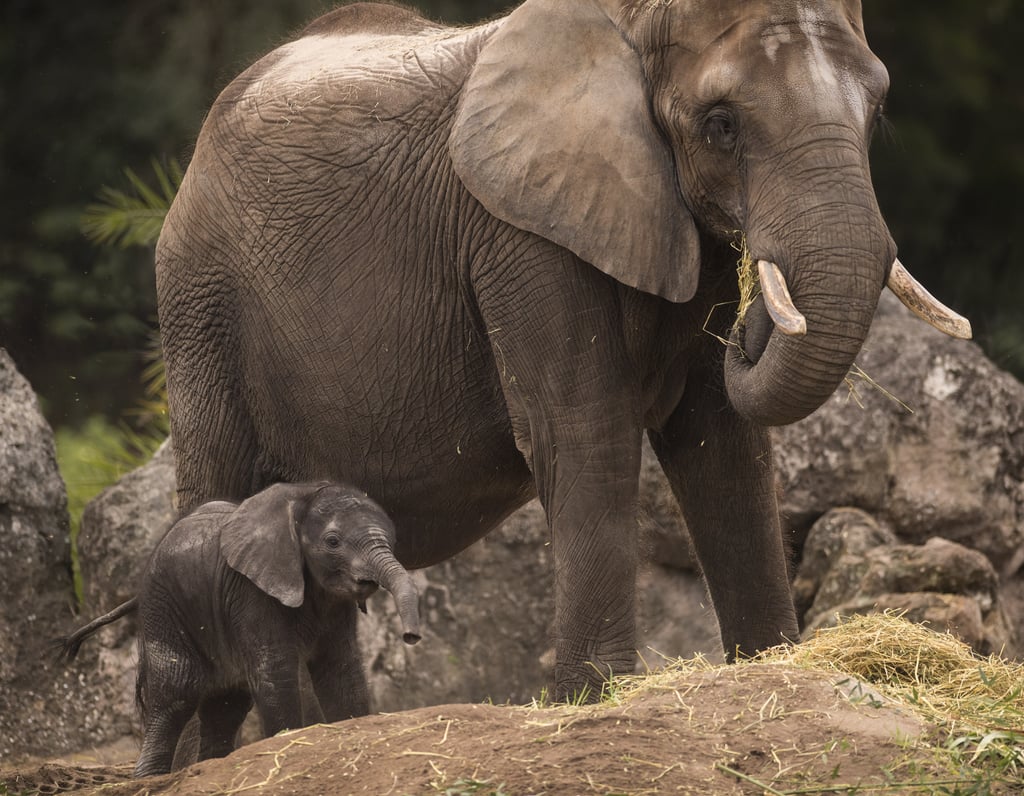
[826,255]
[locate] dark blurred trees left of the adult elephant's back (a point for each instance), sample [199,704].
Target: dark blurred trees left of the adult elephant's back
[84,96]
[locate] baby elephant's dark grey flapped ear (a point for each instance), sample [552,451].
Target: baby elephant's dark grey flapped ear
[260,540]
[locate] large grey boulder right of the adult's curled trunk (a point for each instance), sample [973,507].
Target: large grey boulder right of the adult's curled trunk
[952,468]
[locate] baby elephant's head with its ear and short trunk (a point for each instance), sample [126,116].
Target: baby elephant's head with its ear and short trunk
[343,538]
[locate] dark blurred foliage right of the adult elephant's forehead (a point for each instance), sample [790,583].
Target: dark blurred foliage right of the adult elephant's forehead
[950,174]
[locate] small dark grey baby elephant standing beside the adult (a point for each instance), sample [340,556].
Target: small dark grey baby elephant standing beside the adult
[237,597]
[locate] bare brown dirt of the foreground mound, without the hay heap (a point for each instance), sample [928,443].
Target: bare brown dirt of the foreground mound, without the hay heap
[747,730]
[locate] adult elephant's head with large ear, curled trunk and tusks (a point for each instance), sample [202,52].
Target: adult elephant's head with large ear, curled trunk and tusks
[637,135]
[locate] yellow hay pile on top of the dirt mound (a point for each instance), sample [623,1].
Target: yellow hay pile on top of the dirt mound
[976,704]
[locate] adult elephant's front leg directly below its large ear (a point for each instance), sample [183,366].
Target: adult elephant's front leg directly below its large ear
[573,398]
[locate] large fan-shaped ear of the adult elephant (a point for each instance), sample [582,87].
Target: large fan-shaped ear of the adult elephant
[554,135]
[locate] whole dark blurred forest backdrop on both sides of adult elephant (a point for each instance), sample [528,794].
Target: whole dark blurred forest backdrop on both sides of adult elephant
[90,91]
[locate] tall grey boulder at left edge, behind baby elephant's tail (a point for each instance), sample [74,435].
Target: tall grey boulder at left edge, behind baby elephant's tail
[45,708]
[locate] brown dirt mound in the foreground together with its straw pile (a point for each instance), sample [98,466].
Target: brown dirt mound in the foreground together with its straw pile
[875,705]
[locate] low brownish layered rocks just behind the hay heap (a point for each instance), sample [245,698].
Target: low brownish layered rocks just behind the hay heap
[860,568]
